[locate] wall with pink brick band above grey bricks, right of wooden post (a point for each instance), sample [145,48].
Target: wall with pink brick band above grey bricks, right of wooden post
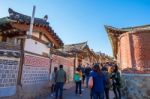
[35,78]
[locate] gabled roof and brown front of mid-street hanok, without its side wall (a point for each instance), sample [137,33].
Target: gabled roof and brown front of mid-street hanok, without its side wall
[82,53]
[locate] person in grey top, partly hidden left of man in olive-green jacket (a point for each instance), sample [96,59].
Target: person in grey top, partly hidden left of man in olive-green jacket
[53,77]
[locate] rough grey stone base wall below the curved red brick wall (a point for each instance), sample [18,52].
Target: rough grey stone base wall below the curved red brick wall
[136,86]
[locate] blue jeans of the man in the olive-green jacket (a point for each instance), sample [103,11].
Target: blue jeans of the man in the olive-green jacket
[59,89]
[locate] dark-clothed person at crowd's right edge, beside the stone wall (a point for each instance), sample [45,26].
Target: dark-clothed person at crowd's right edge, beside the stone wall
[116,80]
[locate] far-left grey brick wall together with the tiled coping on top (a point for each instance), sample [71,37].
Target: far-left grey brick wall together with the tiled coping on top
[9,64]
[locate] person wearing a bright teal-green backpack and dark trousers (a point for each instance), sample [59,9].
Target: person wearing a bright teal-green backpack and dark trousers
[78,81]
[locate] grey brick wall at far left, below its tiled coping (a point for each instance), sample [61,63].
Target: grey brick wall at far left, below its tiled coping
[8,76]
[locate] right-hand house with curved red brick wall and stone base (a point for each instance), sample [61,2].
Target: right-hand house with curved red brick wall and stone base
[131,48]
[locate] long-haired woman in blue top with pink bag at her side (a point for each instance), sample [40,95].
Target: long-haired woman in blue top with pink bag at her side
[97,82]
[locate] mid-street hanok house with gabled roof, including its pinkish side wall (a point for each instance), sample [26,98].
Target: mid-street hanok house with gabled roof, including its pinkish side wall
[71,56]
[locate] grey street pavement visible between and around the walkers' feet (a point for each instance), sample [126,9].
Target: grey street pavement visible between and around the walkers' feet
[70,94]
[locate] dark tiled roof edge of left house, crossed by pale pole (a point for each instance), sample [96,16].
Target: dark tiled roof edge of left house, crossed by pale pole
[21,18]
